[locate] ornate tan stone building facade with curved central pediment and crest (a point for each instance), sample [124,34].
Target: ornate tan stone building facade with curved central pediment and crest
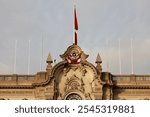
[74,78]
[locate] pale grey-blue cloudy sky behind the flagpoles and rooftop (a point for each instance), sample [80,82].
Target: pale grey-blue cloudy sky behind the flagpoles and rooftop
[101,24]
